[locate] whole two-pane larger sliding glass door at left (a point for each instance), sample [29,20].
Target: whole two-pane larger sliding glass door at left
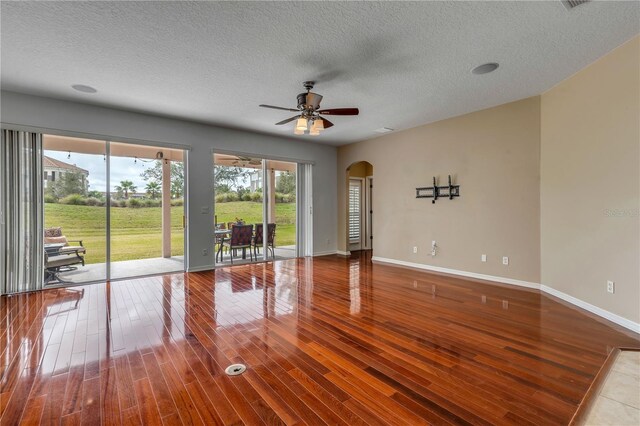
[112,210]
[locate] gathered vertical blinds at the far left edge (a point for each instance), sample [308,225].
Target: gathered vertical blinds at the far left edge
[21,212]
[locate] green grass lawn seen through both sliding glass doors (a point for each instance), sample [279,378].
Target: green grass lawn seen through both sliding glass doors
[136,233]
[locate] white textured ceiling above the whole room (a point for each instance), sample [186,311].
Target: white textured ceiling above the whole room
[403,64]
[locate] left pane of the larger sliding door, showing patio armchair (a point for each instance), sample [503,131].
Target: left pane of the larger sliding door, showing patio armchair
[75,209]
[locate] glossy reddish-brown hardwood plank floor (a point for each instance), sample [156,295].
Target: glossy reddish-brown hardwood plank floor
[326,340]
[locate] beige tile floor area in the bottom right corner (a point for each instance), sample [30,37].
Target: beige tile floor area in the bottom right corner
[618,402]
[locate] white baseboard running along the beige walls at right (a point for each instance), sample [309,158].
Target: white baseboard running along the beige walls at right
[617,319]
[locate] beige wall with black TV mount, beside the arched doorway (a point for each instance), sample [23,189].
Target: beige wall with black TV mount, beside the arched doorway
[494,156]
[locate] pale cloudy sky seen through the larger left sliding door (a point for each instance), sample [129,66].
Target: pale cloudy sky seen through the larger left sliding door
[122,168]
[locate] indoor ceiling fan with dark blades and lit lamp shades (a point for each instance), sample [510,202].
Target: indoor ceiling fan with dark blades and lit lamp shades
[309,112]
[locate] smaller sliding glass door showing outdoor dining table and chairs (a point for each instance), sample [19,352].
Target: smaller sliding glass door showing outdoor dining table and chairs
[255,205]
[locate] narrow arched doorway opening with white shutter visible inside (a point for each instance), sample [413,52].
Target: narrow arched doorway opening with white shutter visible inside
[359,206]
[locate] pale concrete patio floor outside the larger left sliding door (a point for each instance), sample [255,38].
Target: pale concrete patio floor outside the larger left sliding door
[122,269]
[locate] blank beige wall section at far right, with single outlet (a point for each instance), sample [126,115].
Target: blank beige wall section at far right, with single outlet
[590,183]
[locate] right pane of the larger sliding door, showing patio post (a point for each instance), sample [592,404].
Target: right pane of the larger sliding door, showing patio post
[147,210]
